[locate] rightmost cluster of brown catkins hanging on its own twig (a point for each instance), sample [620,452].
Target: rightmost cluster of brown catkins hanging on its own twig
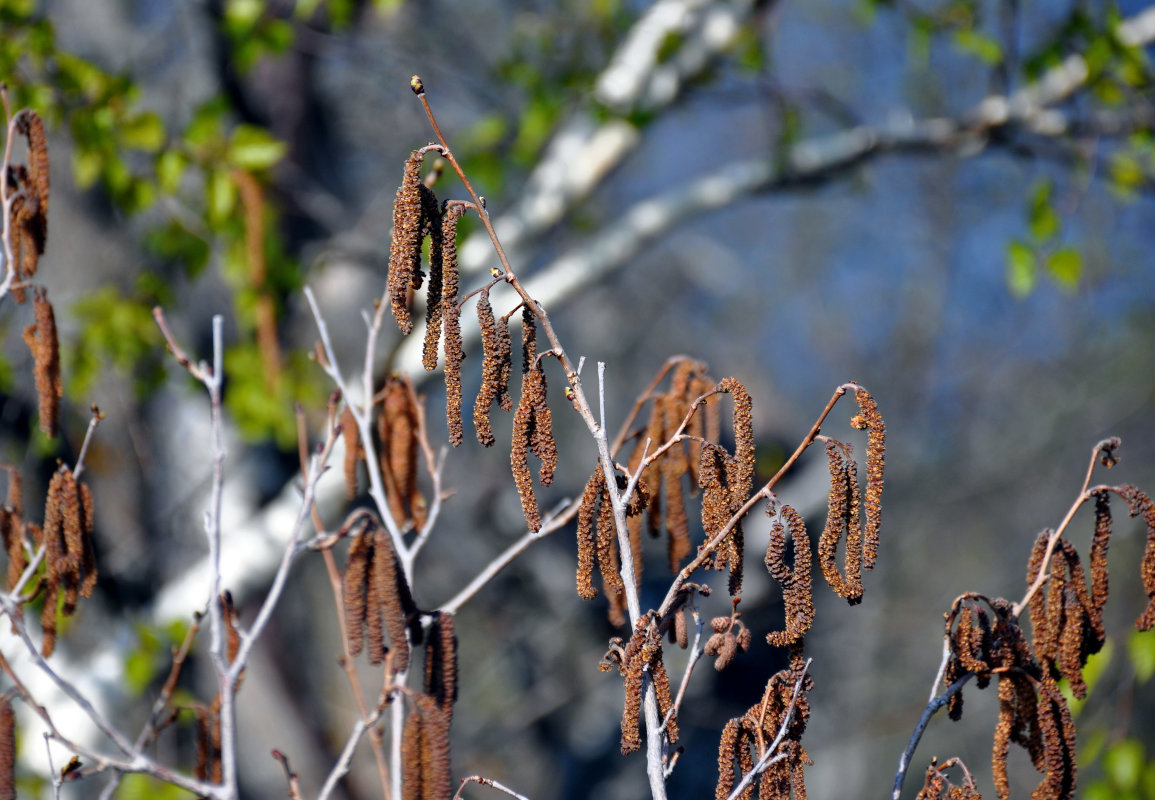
[1067,619]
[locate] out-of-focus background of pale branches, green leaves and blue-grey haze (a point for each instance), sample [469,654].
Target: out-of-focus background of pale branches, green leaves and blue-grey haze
[949,201]
